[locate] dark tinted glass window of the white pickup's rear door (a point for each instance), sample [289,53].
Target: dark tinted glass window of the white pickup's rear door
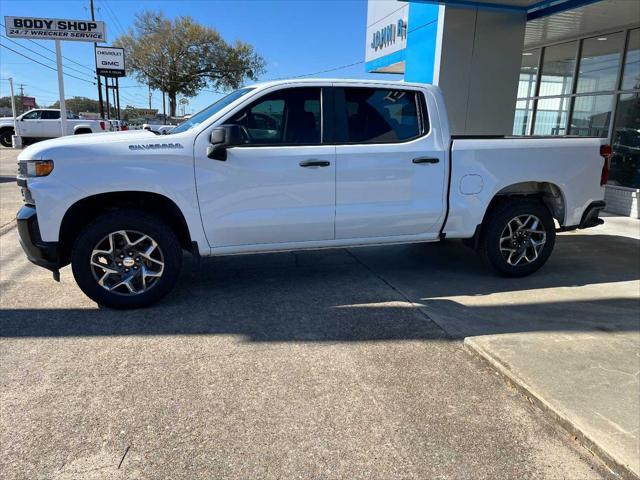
[376,115]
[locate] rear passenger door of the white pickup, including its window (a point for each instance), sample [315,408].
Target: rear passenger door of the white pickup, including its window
[390,178]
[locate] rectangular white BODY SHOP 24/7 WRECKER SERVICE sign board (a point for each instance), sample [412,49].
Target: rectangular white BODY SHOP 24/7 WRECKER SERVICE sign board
[55,29]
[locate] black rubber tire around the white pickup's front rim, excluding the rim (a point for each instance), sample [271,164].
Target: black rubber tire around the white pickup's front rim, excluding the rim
[132,220]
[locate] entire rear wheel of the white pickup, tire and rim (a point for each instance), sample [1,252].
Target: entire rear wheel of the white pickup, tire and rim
[518,237]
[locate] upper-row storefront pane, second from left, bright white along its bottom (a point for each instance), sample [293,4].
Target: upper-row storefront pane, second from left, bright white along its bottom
[558,65]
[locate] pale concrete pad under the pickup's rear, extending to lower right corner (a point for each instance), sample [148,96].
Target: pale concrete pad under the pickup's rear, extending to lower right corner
[567,337]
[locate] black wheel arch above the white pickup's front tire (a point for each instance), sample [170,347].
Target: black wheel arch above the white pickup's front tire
[87,209]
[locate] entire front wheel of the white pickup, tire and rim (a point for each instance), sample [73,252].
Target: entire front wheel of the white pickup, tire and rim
[126,259]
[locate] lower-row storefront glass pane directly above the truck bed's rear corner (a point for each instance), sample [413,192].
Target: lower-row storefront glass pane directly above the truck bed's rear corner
[591,116]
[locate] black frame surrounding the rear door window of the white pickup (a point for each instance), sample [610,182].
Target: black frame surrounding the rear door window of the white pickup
[340,114]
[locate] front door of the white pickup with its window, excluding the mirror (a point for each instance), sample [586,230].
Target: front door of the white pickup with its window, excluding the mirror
[280,186]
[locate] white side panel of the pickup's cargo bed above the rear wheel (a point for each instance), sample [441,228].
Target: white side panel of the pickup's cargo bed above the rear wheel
[566,171]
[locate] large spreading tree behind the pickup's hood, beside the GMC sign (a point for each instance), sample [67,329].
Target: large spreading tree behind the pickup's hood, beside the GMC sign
[181,56]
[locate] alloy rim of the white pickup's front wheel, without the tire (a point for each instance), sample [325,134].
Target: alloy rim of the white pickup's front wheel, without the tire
[127,262]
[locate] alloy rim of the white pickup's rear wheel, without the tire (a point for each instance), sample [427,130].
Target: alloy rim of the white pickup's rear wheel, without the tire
[522,240]
